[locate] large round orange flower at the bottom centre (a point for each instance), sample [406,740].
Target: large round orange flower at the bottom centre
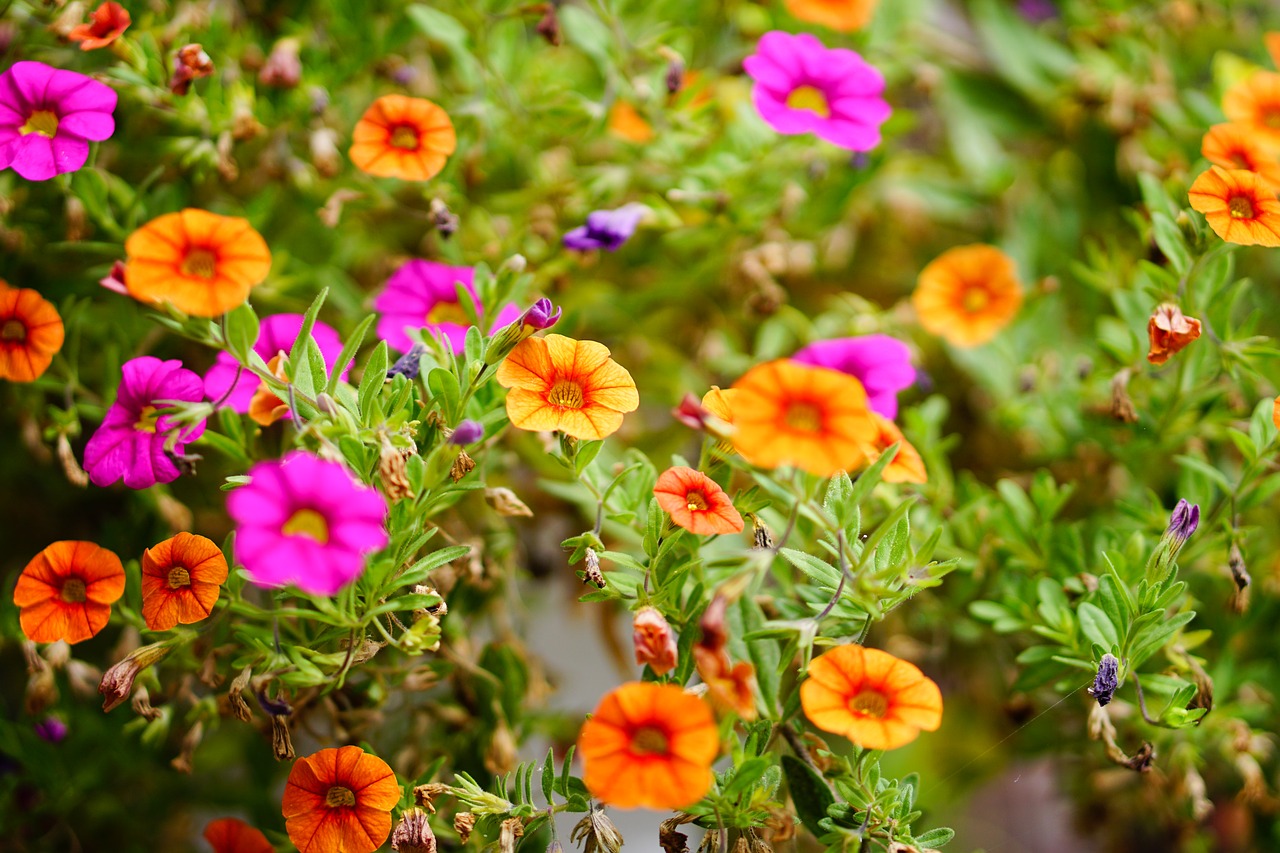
[650,745]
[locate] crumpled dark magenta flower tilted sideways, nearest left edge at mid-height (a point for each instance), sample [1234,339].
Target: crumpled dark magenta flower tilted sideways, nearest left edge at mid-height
[131,443]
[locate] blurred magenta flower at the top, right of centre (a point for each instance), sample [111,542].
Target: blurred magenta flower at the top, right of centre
[804,88]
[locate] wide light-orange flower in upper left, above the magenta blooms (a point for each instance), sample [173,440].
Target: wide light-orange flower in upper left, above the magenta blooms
[203,263]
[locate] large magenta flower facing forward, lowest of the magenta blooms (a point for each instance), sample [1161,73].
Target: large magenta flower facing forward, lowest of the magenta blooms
[304,521]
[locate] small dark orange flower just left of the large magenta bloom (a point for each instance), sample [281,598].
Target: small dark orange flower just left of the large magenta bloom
[181,581]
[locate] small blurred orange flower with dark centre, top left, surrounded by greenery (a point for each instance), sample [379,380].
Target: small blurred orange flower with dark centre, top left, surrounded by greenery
[403,138]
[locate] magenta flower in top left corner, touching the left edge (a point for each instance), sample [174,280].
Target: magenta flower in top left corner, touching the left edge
[48,118]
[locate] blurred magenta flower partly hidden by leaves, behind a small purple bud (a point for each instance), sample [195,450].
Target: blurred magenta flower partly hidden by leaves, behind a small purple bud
[423,295]
